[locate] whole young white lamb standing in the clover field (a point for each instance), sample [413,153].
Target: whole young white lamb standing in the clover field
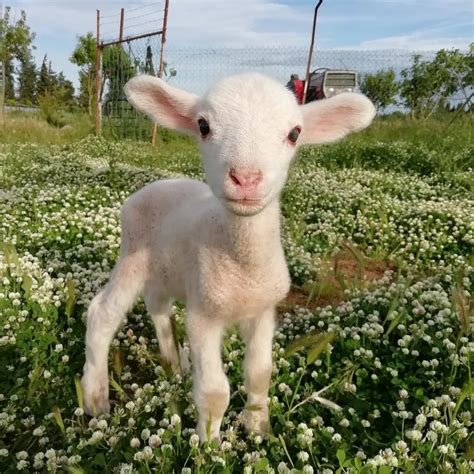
[214,246]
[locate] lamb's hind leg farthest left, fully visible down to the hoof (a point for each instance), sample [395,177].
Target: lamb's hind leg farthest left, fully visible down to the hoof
[105,313]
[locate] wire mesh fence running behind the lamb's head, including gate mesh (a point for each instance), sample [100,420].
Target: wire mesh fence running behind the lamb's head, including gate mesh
[195,69]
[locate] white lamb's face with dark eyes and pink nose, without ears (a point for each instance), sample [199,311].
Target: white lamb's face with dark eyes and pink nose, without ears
[248,131]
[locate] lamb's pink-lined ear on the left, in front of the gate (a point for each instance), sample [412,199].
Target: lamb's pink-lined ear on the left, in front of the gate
[166,105]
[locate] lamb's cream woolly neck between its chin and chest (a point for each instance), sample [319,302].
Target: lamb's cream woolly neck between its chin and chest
[255,240]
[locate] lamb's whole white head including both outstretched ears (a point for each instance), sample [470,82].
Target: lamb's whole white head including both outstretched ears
[248,127]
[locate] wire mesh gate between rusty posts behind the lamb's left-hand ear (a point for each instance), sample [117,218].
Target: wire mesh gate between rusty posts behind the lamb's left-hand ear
[129,43]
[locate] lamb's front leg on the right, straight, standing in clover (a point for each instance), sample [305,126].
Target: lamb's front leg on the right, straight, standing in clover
[258,336]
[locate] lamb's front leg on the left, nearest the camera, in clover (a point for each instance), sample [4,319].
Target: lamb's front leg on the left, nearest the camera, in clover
[210,384]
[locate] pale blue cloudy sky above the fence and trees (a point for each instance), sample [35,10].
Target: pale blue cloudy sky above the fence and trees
[342,24]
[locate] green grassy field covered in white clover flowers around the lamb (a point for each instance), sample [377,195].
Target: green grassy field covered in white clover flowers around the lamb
[373,354]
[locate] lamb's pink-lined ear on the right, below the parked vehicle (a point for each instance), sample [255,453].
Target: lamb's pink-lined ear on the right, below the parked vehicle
[327,120]
